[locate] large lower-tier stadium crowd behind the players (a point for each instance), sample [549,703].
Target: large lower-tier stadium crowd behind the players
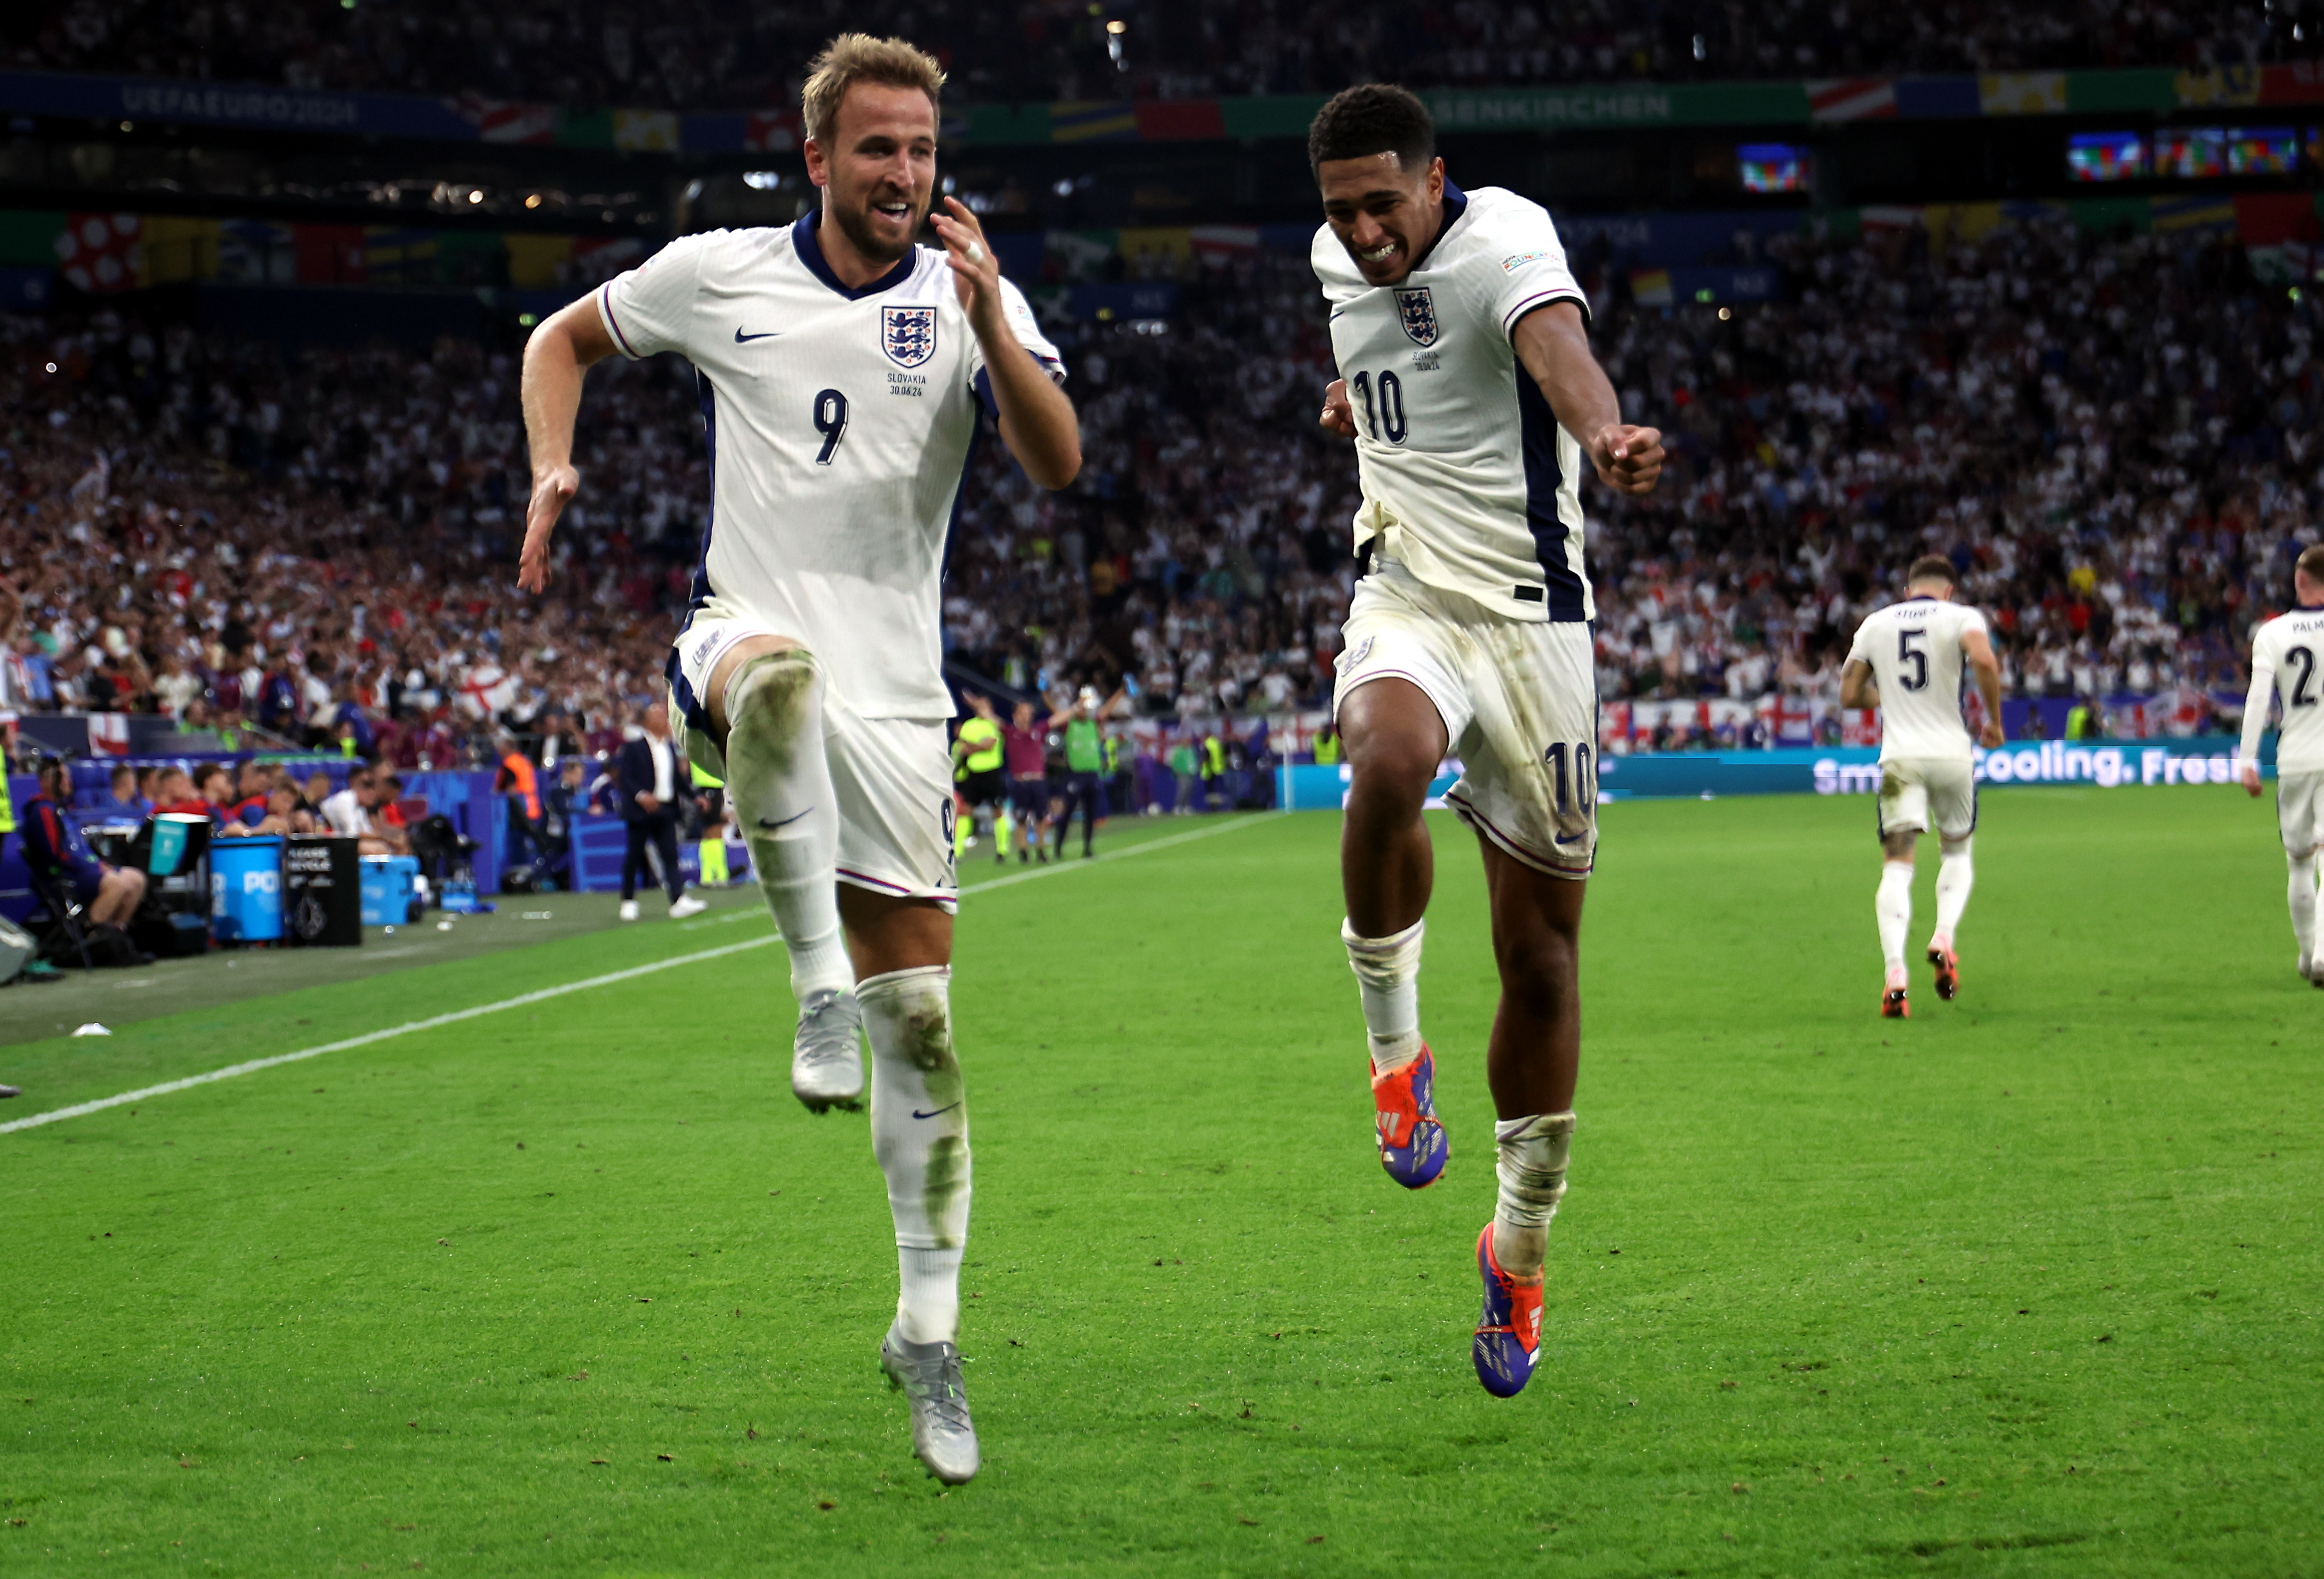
[2109,435]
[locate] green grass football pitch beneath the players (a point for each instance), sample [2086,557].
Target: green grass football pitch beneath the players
[2023,1285]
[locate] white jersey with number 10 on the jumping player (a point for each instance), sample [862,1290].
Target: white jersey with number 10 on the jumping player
[1468,477]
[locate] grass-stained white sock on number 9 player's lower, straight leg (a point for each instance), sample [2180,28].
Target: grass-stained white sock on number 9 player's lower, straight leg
[921,1139]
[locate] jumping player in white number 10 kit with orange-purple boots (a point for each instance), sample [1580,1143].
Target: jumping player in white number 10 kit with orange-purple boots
[1475,405]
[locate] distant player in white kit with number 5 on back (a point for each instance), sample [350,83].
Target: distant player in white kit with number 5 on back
[1907,661]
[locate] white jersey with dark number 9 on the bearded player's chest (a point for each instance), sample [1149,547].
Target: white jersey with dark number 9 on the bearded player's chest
[840,428]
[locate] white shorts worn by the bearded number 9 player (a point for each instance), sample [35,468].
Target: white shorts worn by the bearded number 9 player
[894,777]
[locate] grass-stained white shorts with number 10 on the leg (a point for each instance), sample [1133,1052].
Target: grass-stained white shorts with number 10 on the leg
[1519,702]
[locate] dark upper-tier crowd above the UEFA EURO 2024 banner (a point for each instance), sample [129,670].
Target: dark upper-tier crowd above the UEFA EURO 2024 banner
[696,55]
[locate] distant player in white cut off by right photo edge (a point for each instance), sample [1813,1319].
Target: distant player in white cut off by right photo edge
[2286,663]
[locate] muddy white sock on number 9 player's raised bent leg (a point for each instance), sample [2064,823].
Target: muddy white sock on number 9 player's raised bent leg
[782,788]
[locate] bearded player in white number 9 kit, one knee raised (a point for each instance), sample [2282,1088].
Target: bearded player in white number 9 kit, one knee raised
[840,370]
